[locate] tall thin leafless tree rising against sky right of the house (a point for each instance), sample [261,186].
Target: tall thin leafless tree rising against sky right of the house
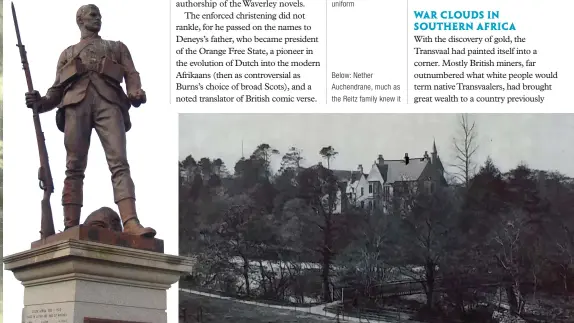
[465,147]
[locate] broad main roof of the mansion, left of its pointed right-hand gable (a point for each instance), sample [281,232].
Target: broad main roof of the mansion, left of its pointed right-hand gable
[398,171]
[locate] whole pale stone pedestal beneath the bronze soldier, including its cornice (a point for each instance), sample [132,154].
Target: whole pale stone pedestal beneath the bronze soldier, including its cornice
[72,279]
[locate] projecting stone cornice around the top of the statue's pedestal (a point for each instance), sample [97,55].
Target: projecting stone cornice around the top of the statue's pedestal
[85,260]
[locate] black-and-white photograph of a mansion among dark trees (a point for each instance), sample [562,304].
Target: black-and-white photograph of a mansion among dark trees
[377,217]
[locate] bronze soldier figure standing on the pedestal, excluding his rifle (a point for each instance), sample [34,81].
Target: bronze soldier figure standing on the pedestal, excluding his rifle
[88,94]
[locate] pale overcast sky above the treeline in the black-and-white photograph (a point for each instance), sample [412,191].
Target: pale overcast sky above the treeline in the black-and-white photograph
[543,141]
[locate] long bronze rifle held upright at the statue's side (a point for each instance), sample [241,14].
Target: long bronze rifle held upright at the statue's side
[44,174]
